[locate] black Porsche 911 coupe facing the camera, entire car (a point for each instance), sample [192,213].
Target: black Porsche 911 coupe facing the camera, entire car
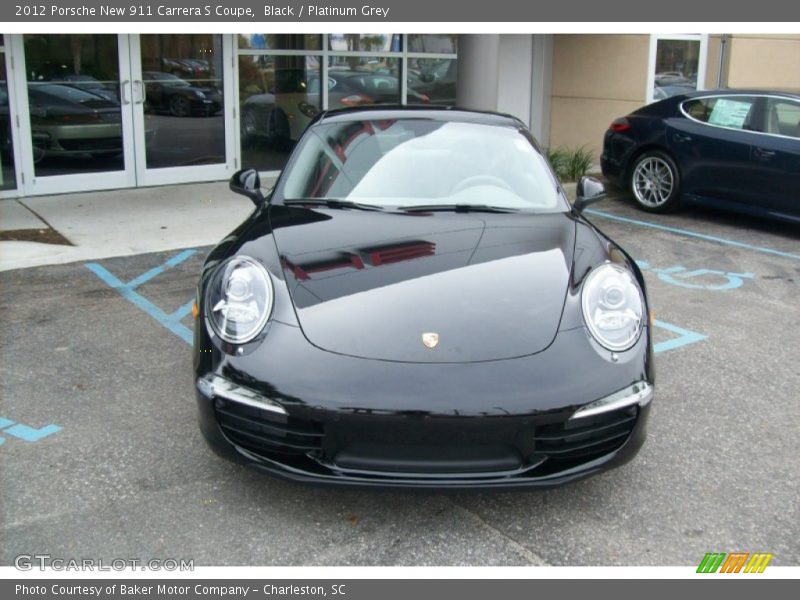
[417,304]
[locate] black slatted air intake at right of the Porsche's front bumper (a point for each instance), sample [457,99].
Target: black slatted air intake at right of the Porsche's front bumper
[578,441]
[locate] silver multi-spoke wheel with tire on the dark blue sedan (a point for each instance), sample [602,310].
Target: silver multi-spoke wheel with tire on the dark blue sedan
[655,182]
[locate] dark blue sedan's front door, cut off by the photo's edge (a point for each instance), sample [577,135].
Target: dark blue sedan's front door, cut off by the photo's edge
[775,155]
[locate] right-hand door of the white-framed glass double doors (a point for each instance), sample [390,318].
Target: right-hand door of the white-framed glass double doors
[182,105]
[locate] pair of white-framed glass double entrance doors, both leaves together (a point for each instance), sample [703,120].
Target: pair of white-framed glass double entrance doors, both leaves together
[101,111]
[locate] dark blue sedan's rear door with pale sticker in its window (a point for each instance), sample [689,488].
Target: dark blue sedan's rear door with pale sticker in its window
[711,143]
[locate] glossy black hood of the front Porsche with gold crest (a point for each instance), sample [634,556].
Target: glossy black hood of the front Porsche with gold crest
[371,284]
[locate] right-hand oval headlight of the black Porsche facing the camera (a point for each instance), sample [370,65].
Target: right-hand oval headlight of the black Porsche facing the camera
[613,307]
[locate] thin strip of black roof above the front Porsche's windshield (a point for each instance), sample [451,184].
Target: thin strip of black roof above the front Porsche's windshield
[427,112]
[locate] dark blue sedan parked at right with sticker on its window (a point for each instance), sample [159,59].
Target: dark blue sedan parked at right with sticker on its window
[733,149]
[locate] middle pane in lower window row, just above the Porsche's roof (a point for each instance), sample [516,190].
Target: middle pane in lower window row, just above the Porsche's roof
[359,81]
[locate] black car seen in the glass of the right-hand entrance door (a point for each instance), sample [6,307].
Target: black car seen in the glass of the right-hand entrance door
[168,93]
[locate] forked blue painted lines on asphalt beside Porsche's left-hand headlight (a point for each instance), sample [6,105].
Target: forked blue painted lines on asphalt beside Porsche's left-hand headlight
[171,321]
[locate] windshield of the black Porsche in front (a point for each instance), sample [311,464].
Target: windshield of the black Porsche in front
[420,162]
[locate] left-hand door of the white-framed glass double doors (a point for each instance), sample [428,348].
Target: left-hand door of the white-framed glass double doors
[76,131]
